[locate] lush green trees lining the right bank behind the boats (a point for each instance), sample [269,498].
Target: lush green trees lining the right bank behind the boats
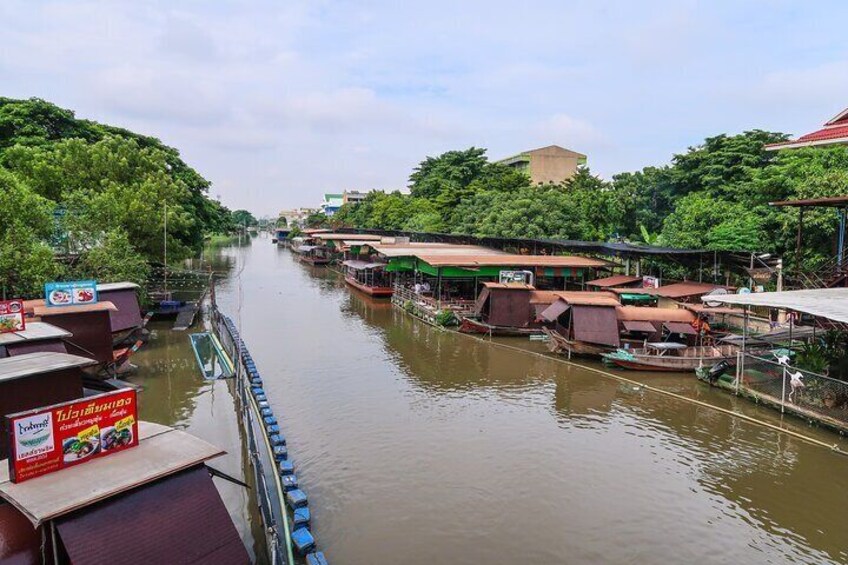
[714,196]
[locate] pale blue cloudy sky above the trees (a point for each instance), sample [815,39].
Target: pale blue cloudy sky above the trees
[279,102]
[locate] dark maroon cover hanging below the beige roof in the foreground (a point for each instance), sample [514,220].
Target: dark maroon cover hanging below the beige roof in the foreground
[179,519]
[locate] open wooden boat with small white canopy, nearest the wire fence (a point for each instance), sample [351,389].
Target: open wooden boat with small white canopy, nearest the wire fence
[673,357]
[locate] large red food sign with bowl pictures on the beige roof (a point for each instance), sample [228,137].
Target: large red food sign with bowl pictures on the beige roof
[56,437]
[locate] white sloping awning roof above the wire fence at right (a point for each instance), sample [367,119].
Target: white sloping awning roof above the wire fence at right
[829,303]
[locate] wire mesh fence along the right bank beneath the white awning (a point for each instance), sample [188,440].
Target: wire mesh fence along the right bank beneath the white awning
[794,390]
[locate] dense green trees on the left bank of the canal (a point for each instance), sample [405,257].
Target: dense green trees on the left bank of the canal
[97,194]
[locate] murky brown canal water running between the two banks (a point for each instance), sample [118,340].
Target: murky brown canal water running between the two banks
[421,446]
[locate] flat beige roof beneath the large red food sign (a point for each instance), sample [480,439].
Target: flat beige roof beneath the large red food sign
[161,451]
